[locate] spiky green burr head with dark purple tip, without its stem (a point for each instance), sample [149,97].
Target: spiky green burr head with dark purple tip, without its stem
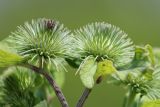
[44,39]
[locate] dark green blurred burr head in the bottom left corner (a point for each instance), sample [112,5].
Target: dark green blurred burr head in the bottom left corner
[18,88]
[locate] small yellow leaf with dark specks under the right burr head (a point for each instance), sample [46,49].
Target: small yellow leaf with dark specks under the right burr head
[104,68]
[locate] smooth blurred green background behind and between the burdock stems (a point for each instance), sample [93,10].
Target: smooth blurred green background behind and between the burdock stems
[139,18]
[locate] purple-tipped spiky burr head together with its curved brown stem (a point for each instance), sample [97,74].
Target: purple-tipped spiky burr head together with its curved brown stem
[44,43]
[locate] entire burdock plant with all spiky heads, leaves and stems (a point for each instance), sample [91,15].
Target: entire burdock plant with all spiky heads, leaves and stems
[38,52]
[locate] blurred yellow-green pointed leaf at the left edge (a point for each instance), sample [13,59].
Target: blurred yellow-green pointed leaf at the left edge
[9,59]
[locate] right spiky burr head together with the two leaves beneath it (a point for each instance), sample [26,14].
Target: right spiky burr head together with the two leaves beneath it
[103,47]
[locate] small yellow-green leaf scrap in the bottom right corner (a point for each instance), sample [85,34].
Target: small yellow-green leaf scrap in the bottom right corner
[155,103]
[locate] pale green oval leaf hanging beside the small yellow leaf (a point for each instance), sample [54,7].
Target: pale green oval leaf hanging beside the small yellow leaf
[87,72]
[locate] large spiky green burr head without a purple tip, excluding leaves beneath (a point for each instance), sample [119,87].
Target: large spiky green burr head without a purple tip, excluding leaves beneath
[104,41]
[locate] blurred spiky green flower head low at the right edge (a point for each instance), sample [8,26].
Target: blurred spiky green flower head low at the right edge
[144,82]
